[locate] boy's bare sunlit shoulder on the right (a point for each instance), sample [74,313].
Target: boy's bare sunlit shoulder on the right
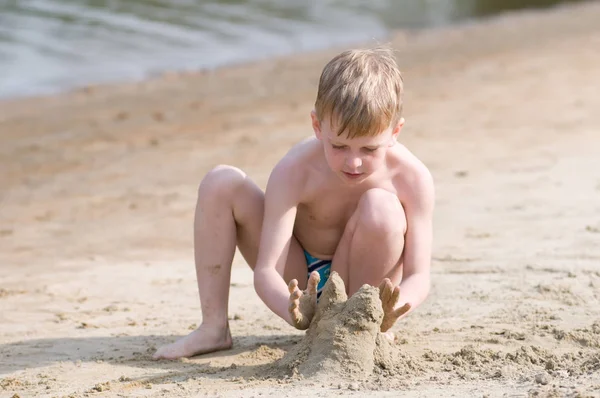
[412,179]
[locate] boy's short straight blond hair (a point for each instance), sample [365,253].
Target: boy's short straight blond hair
[361,91]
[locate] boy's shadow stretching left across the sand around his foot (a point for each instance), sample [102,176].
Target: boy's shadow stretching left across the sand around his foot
[136,351]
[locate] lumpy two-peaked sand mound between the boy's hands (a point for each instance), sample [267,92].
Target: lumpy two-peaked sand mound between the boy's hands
[343,339]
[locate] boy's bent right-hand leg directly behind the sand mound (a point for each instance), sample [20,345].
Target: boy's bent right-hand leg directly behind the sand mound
[373,241]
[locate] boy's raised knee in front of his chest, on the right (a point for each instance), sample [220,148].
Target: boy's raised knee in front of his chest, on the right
[381,212]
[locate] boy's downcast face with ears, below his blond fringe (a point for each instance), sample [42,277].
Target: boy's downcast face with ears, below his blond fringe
[354,159]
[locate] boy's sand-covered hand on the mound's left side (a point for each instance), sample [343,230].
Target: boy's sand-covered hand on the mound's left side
[303,305]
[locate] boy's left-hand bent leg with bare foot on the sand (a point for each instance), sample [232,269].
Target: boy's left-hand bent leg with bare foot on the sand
[229,212]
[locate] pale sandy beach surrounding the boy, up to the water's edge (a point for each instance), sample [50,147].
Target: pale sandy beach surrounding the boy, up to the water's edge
[97,195]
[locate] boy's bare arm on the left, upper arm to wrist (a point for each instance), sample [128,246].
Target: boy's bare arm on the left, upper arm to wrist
[281,200]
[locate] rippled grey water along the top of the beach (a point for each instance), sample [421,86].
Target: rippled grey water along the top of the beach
[52,45]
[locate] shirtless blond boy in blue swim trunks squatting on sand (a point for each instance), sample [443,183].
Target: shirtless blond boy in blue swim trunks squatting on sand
[351,200]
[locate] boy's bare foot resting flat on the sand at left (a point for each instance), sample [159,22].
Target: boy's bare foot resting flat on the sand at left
[201,341]
